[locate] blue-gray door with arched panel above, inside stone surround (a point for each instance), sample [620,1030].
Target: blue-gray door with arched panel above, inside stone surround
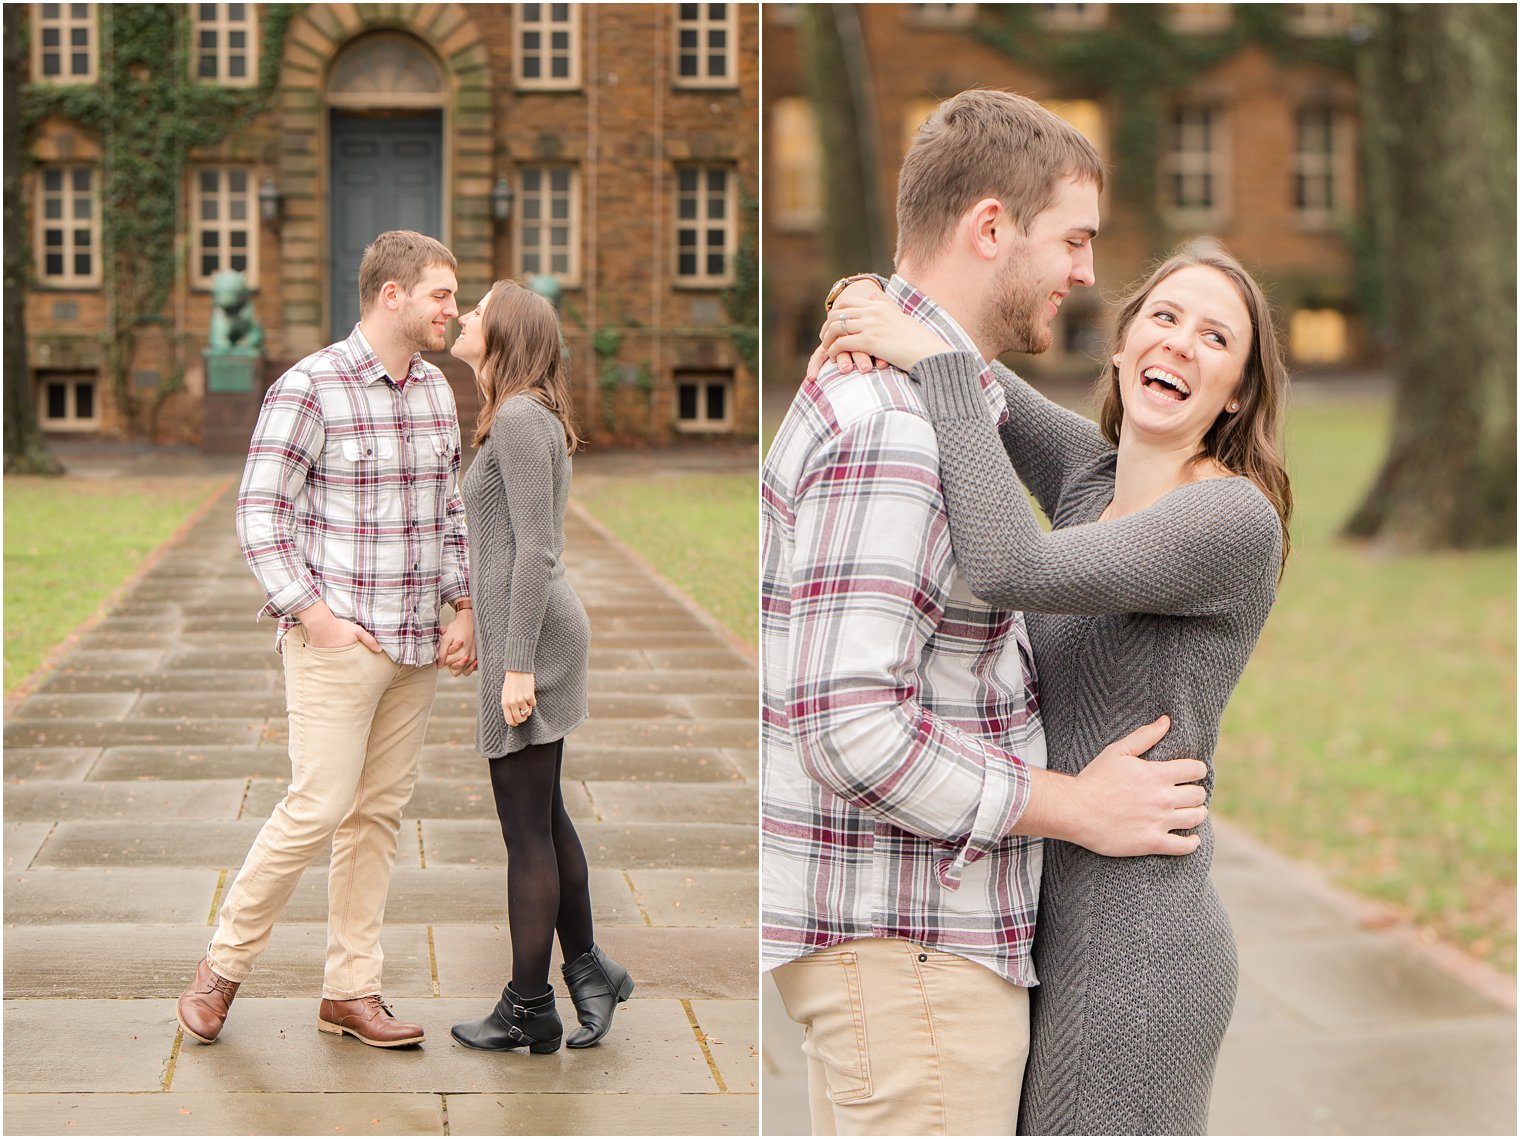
[387,101]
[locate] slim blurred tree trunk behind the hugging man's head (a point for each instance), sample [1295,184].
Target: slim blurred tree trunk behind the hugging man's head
[840,87]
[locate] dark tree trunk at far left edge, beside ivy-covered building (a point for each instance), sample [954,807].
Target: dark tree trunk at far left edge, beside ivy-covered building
[27,452]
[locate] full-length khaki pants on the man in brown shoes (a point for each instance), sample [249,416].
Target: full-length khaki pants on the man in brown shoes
[356,732]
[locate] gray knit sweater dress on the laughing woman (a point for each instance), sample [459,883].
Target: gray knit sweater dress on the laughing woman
[1151,614]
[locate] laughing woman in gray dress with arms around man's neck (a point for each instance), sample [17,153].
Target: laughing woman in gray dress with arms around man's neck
[1153,611]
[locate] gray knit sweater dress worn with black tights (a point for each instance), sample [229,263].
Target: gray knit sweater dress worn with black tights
[528,620]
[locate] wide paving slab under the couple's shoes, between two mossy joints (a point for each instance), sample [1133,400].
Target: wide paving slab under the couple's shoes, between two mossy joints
[276,1047]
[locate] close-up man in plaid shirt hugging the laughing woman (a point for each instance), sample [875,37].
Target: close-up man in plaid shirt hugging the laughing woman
[902,749]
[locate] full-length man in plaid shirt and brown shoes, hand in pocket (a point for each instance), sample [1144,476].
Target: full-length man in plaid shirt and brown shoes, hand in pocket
[350,519]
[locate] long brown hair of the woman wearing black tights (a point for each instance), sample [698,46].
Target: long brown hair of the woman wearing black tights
[524,355]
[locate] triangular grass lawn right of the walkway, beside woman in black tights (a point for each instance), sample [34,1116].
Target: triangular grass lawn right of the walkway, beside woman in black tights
[701,531]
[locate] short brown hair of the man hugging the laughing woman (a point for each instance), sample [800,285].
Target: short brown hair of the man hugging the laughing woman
[986,145]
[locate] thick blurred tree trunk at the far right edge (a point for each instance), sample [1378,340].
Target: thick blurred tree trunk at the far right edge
[1439,109]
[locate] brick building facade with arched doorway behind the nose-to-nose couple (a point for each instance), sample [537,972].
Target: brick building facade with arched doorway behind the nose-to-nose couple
[613,148]
